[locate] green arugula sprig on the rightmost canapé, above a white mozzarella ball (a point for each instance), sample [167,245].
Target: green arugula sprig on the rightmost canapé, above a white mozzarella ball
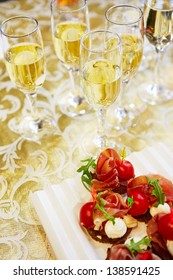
[157,192]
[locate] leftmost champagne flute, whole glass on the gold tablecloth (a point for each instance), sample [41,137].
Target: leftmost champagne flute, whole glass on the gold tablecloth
[25,62]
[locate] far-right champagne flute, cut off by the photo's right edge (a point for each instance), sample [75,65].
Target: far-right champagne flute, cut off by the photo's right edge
[158,22]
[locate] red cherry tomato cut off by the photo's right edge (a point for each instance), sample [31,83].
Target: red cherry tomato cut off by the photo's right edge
[165,226]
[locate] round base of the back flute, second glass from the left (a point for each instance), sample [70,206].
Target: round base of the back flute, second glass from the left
[73,106]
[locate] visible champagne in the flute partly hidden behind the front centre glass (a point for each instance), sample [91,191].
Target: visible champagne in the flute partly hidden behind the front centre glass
[132,47]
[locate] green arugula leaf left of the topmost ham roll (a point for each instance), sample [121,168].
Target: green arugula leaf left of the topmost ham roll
[86,176]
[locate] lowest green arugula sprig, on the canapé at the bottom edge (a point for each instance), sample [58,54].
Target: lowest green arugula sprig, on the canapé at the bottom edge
[136,246]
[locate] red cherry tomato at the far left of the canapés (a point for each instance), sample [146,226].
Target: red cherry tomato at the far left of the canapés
[86,215]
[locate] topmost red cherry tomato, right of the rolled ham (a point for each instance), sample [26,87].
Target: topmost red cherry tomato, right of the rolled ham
[125,169]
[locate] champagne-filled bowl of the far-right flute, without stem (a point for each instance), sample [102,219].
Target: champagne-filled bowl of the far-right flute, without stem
[158,23]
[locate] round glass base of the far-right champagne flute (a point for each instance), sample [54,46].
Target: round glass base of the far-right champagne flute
[155,94]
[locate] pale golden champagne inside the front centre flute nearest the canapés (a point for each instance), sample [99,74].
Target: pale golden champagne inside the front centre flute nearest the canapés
[101,82]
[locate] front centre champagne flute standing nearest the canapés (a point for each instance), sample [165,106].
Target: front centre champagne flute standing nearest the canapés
[100,66]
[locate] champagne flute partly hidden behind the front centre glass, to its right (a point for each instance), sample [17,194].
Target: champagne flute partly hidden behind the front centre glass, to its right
[127,21]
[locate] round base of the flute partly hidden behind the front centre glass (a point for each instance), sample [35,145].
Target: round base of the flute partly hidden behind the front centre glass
[123,118]
